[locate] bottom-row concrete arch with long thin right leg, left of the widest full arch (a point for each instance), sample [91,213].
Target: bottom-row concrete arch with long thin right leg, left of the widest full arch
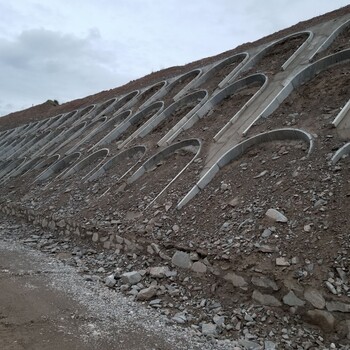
[192,145]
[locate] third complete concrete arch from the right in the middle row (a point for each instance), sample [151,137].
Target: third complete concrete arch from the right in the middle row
[129,122]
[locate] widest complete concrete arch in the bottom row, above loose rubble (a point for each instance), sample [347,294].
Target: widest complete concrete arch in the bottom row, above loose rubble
[238,150]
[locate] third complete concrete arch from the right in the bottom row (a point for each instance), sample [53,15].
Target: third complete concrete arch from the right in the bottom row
[120,157]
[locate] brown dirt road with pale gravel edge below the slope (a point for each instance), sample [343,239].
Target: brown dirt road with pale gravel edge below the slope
[45,304]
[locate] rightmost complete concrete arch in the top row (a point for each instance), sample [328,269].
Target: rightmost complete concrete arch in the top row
[259,55]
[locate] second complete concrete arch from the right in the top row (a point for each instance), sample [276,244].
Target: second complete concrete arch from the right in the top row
[242,58]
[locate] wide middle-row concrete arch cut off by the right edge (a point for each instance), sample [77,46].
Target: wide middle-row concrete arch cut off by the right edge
[303,76]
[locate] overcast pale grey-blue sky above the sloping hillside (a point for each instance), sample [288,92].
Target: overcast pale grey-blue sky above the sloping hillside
[67,49]
